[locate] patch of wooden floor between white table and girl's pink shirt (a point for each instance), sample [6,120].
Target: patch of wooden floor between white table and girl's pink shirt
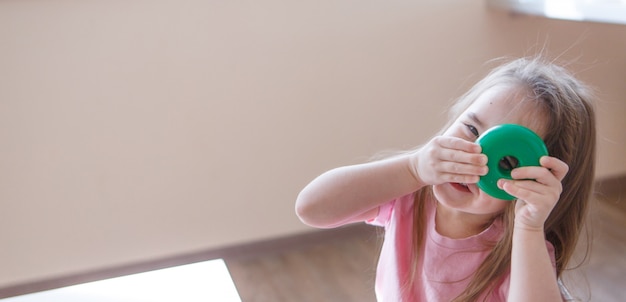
[341,269]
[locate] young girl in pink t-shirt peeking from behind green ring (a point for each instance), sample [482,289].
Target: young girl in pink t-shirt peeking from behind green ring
[445,239]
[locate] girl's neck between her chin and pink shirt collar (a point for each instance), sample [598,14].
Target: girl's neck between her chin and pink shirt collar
[457,224]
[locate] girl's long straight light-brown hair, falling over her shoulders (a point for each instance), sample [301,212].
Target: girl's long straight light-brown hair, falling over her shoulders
[570,136]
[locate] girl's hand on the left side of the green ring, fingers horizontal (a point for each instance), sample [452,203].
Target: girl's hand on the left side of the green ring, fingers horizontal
[448,159]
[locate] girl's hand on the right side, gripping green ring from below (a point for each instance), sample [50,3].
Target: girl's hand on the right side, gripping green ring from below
[537,190]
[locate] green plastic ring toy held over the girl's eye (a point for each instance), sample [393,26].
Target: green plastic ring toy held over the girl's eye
[507,147]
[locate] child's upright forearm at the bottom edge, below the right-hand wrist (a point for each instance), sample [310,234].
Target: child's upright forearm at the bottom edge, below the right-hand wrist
[532,275]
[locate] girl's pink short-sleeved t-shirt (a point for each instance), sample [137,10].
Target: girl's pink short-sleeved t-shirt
[444,267]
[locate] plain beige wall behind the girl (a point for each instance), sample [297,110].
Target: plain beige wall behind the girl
[134,130]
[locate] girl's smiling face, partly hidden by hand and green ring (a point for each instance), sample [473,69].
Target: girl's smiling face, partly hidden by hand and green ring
[497,105]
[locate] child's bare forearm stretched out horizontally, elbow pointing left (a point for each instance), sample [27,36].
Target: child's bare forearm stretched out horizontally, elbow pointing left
[339,195]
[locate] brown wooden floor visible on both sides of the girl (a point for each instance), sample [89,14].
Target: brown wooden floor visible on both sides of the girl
[343,268]
